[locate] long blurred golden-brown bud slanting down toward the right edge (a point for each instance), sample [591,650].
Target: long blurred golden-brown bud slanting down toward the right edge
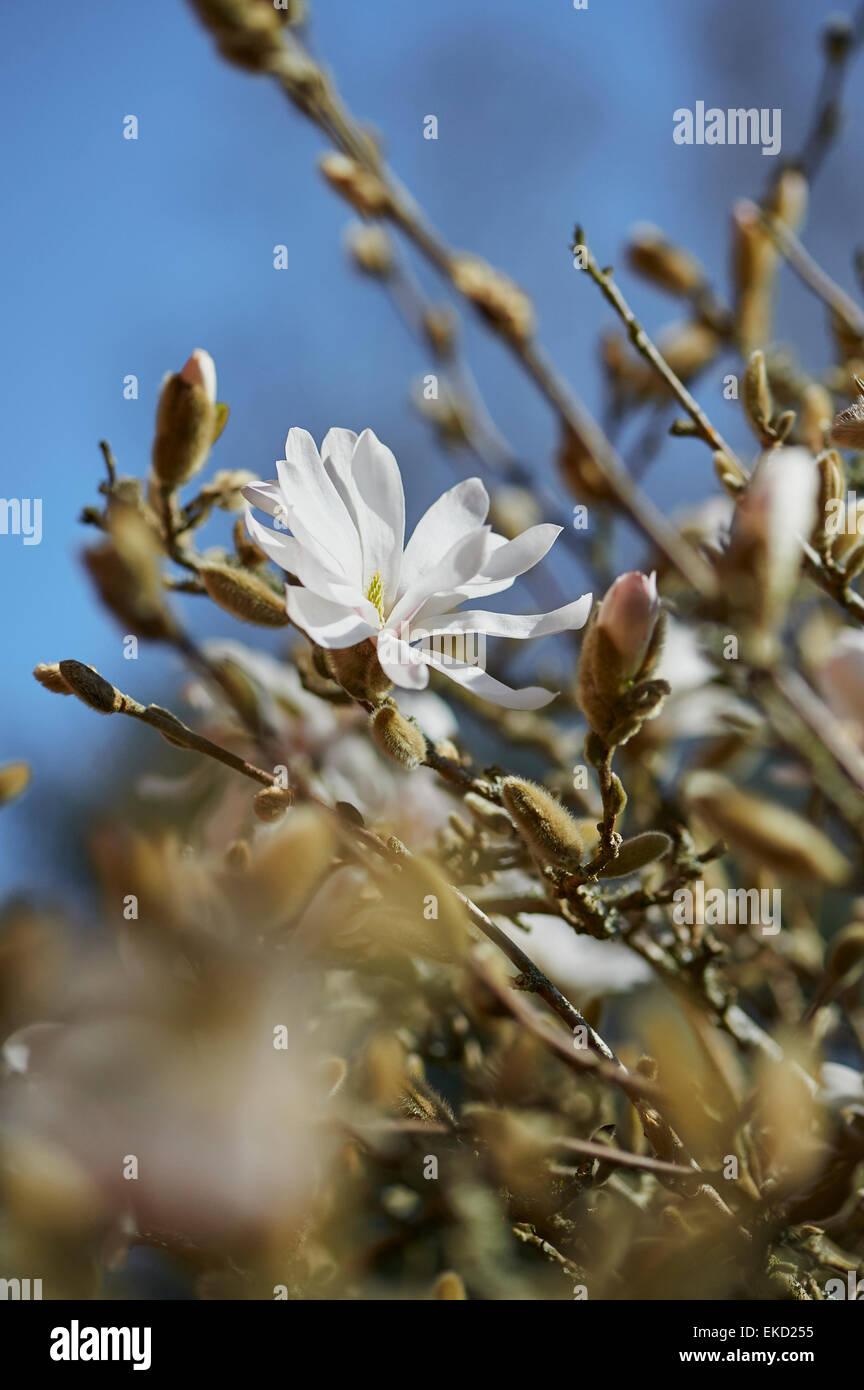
[770,835]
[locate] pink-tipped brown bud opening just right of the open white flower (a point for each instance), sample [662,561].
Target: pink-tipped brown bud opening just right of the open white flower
[619,654]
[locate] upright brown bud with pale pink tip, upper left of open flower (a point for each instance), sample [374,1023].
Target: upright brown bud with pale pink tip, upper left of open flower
[187,422]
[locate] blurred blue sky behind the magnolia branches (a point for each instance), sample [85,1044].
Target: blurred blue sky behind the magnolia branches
[122,256]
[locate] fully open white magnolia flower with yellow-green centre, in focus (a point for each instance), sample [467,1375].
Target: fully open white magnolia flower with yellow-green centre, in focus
[347,515]
